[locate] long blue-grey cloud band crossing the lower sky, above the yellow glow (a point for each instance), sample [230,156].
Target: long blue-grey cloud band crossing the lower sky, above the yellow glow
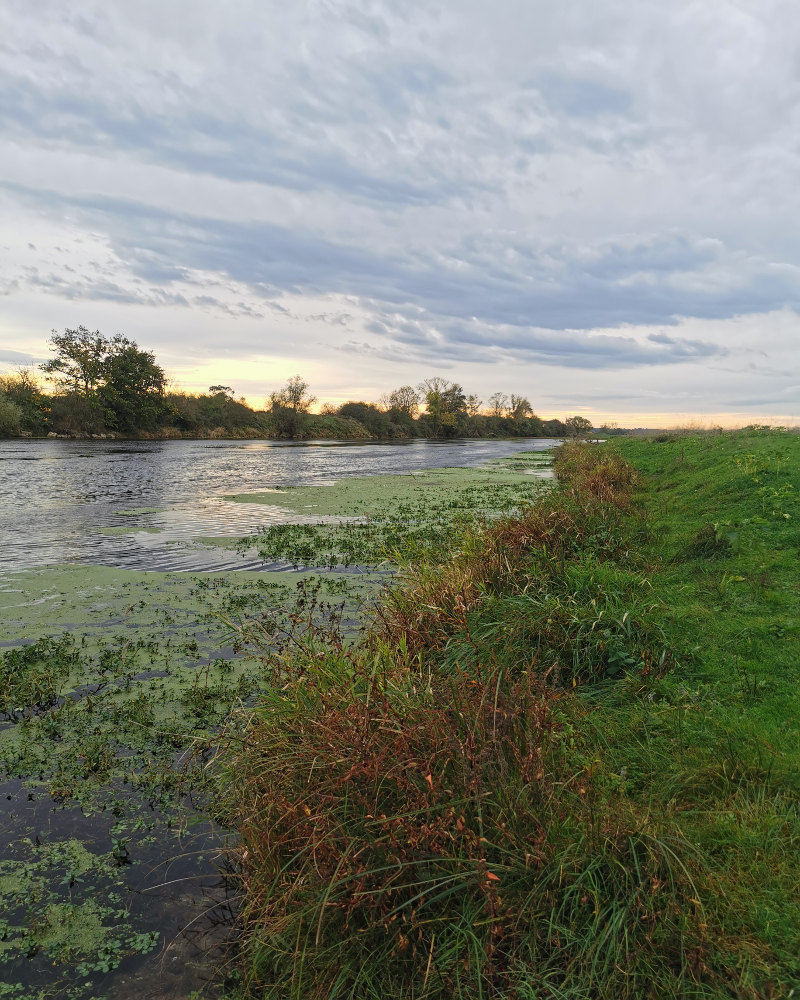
[541,287]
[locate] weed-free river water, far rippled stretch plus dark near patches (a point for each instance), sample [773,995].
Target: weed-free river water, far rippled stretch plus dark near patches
[58,500]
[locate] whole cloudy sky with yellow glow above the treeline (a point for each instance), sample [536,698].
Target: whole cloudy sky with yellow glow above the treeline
[590,204]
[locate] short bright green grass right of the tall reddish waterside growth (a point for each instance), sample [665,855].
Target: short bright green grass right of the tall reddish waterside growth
[716,744]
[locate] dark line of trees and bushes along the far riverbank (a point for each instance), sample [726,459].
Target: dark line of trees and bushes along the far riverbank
[110,387]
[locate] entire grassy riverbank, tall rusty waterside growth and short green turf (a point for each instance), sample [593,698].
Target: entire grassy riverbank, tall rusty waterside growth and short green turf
[562,764]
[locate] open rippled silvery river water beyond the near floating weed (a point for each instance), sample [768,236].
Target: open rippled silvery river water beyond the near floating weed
[57,497]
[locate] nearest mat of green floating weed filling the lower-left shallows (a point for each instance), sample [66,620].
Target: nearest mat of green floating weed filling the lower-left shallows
[113,685]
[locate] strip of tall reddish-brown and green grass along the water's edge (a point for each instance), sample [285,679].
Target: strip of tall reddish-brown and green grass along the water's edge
[417,812]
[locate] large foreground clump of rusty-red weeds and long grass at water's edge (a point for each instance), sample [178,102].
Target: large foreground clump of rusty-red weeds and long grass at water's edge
[408,835]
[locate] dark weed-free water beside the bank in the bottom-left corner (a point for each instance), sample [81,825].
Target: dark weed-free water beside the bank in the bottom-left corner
[176,885]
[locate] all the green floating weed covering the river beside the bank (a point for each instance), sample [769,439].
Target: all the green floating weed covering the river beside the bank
[114,686]
